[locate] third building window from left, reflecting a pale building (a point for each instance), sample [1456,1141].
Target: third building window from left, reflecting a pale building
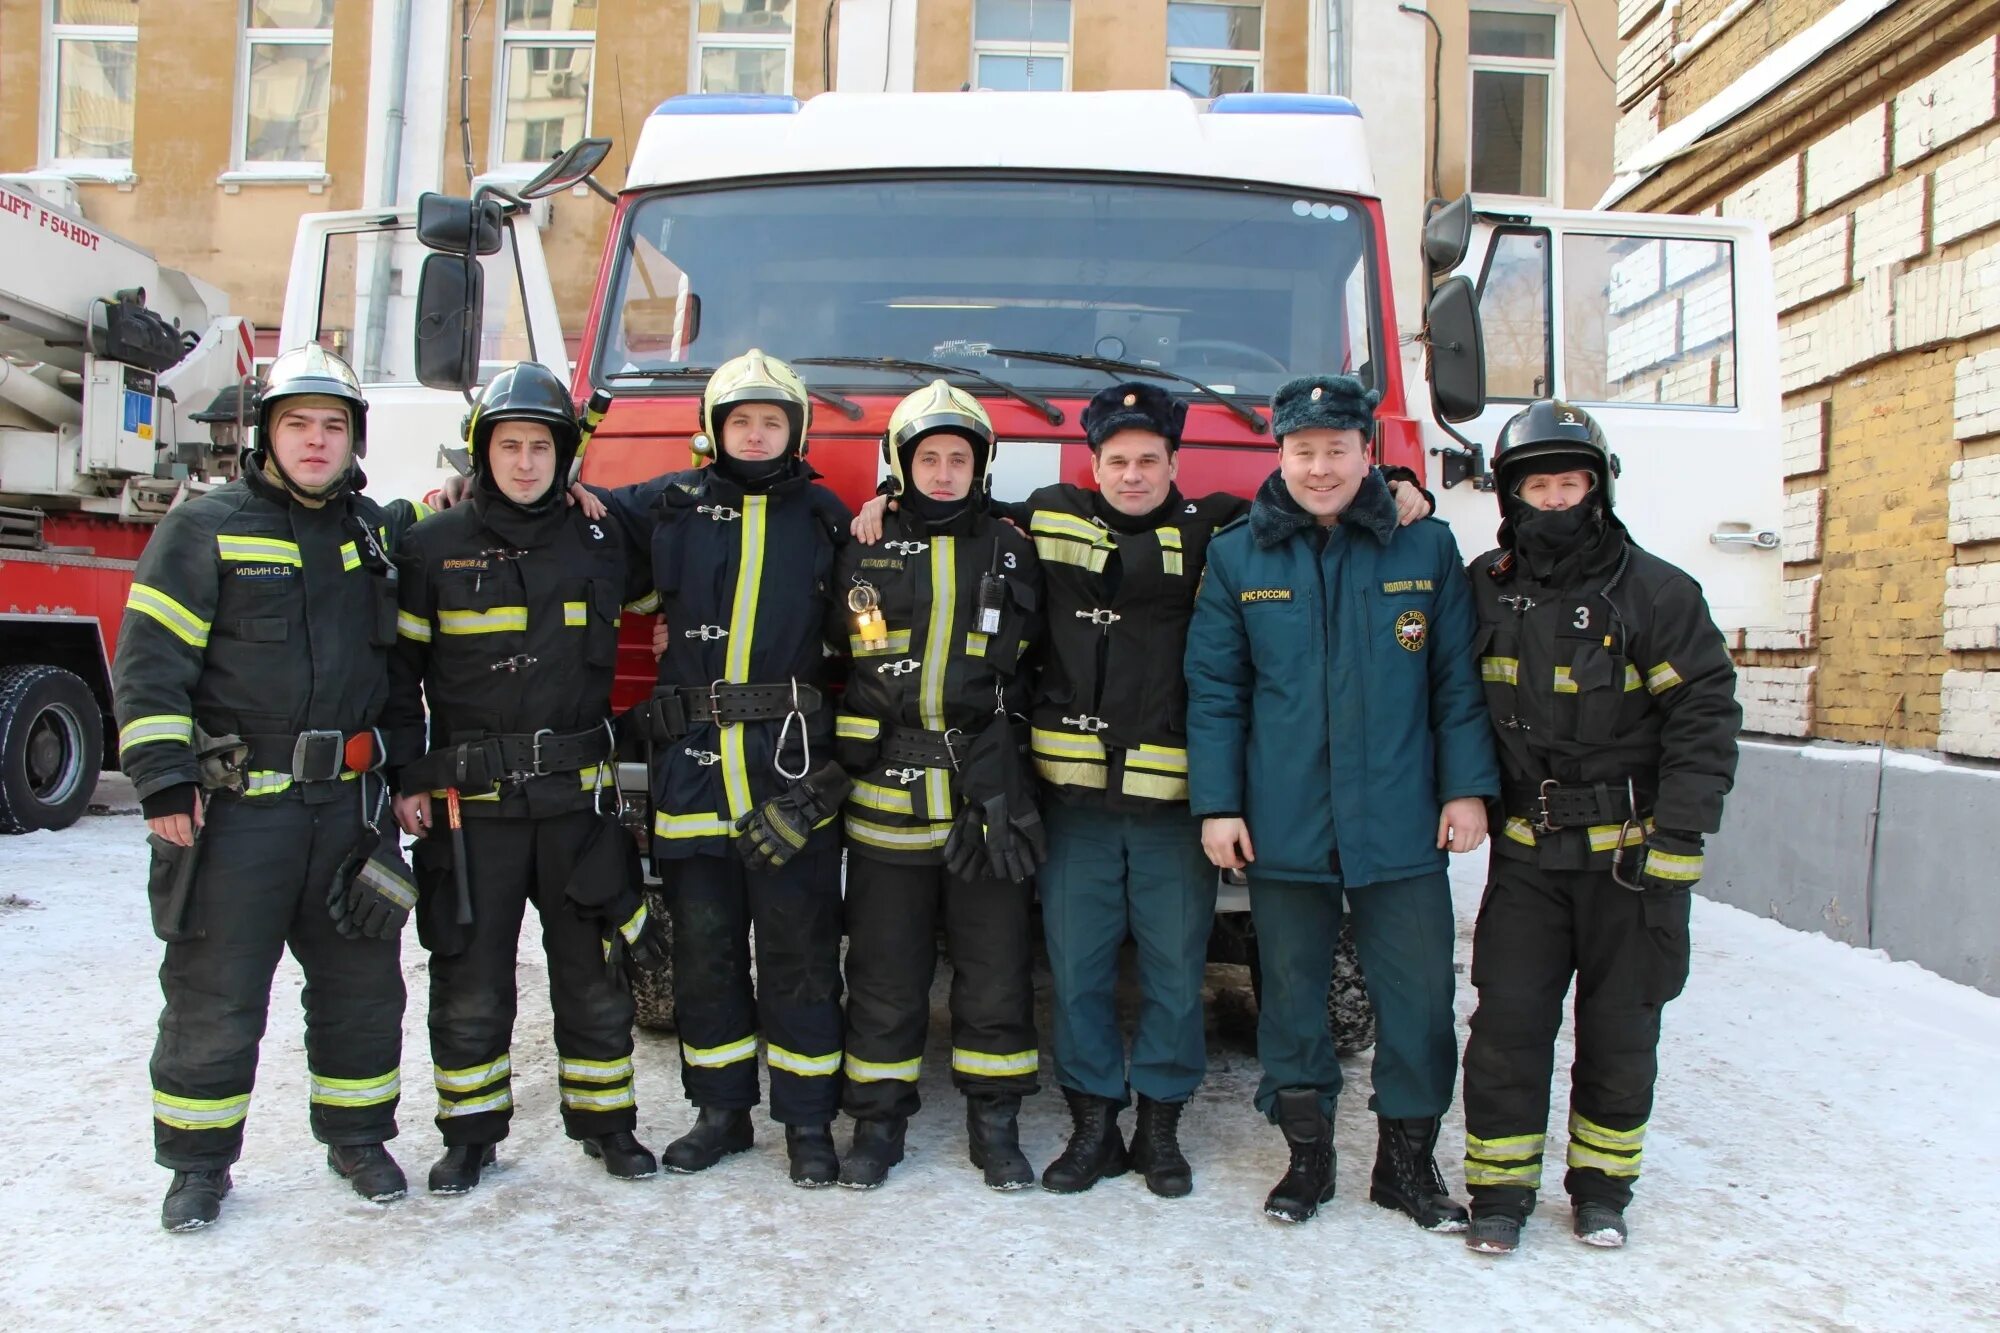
[543,105]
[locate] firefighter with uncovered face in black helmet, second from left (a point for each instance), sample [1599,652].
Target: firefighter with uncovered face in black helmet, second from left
[509,633]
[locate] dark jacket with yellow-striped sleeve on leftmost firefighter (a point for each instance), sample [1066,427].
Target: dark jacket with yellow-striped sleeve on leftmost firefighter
[257,615]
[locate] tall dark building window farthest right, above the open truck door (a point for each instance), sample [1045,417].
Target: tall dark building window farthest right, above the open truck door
[1515,101]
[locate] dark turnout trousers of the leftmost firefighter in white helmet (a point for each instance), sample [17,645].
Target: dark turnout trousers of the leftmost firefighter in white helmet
[261,888]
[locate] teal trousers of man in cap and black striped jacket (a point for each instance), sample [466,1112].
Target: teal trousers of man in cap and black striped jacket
[1115,876]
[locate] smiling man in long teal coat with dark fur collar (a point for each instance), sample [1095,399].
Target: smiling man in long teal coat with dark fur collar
[1337,750]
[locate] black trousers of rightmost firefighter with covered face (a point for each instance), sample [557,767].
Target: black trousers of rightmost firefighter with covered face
[1629,956]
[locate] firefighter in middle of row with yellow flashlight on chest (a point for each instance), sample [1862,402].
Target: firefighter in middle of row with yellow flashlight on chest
[943,818]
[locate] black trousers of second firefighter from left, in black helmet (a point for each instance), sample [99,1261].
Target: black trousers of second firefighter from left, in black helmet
[473,1002]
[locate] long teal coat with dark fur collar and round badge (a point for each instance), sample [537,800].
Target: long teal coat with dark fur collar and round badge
[1333,690]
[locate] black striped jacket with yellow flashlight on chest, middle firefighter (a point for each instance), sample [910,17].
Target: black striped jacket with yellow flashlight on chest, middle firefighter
[937,674]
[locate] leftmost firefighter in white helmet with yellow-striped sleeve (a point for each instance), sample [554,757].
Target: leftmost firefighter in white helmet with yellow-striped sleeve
[253,668]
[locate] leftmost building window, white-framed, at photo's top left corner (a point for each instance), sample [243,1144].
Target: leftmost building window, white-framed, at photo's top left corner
[89,91]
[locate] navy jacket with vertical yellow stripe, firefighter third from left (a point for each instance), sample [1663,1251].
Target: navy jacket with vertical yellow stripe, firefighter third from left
[745,583]
